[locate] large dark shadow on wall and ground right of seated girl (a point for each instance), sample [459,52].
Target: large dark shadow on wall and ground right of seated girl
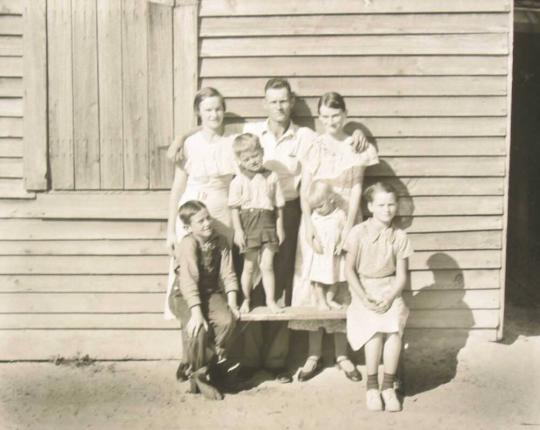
[431,356]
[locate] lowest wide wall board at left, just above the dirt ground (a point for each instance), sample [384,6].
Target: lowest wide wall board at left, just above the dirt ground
[98,344]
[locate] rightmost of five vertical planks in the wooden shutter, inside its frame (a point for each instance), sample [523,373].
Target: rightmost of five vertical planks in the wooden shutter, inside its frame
[160,94]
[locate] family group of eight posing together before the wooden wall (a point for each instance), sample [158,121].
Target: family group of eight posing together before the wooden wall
[280,204]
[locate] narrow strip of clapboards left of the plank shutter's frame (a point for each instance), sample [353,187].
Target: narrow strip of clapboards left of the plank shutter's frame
[11,100]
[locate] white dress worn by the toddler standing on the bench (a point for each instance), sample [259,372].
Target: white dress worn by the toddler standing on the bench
[328,268]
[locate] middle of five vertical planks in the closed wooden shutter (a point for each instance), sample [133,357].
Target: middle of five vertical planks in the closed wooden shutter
[110,94]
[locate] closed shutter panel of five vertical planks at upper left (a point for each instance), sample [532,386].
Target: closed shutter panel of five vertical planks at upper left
[110,94]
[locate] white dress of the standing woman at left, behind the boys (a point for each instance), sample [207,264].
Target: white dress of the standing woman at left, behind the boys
[210,167]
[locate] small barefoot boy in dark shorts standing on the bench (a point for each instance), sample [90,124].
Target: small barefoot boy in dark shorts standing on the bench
[256,201]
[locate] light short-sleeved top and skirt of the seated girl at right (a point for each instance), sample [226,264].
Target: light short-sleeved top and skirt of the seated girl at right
[376,252]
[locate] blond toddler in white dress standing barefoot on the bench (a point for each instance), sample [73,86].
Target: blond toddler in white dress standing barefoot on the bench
[327,266]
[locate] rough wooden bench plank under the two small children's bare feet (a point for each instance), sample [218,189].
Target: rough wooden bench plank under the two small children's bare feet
[296,313]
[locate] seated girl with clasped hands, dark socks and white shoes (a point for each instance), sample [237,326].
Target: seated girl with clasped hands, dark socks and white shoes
[377,270]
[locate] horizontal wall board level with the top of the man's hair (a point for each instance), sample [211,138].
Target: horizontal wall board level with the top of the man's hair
[369,86]
